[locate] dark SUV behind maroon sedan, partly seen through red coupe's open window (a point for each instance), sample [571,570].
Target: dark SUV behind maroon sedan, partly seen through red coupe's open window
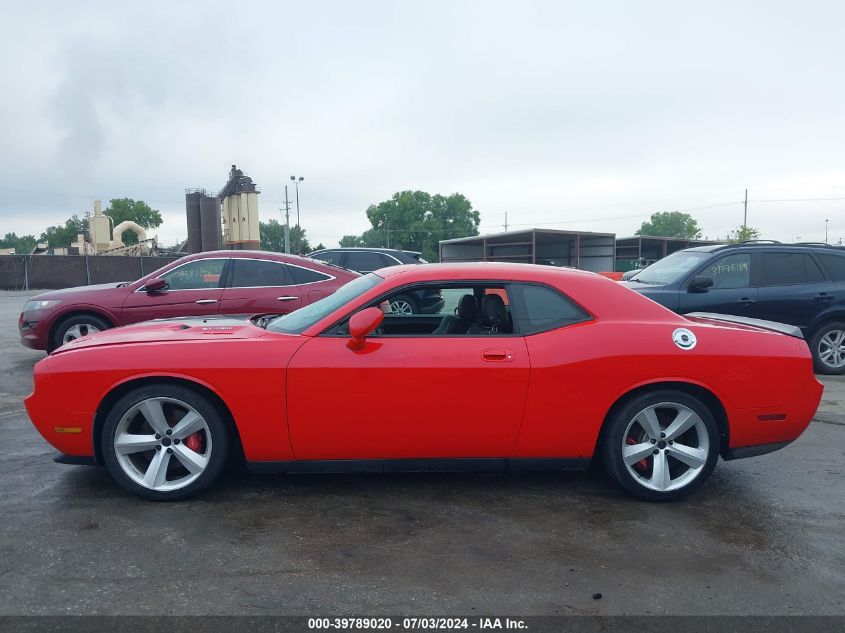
[367,260]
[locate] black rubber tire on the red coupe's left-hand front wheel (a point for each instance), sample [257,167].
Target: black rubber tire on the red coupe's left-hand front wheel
[214,436]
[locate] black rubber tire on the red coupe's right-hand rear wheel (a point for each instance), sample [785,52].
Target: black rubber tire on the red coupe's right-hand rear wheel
[618,433]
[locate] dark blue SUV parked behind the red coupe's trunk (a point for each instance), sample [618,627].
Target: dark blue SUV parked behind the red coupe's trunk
[799,284]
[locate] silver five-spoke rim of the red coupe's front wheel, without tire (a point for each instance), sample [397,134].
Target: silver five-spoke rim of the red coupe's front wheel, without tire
[162,444]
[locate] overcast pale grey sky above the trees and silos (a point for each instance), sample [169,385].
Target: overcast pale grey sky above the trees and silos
[572,115]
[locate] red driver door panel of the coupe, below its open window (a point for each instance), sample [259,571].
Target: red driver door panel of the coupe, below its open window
[407,396]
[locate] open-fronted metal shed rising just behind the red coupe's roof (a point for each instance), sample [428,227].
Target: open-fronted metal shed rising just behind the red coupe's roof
[578,249]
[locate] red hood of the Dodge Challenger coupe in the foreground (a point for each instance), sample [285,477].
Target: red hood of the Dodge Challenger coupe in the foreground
[171,330]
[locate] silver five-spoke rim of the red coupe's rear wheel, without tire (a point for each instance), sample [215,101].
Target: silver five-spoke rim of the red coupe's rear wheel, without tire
[665,446]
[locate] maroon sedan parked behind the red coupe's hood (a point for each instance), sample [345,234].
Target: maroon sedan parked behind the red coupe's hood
[216,282]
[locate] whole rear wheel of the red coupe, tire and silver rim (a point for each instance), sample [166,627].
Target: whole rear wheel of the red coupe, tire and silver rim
[661,446]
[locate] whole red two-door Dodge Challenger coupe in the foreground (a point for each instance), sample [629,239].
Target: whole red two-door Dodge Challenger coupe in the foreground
[531,367]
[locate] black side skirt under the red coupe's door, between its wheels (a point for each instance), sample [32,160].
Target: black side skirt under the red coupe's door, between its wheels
[471,464]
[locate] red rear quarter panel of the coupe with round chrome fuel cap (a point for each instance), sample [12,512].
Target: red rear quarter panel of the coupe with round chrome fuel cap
[579,372]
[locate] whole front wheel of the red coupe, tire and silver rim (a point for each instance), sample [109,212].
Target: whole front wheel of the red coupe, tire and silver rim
[164,442]
